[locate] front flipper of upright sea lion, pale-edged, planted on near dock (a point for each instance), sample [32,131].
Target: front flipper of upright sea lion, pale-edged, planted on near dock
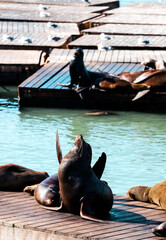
[87,210]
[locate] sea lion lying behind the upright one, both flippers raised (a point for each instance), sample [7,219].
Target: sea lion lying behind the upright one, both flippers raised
[47,192]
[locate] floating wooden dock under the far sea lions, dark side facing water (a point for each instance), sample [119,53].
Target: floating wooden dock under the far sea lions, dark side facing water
[43,89]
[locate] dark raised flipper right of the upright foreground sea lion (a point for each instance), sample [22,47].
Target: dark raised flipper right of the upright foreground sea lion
[99,166]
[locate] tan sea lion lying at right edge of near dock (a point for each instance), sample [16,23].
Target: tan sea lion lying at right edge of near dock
[155,194]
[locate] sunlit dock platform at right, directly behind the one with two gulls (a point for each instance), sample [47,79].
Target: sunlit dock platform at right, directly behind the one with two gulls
[127,29]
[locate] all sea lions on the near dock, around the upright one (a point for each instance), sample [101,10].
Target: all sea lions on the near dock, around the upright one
[77,187]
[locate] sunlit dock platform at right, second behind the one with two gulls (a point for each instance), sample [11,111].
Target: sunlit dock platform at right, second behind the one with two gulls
[131,19]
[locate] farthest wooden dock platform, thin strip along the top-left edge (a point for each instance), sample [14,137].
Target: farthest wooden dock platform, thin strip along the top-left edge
[110,3]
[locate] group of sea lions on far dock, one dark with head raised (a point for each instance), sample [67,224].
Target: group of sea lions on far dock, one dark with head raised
[140,83]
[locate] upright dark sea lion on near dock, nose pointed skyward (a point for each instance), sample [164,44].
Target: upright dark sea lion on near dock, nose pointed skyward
[81,190]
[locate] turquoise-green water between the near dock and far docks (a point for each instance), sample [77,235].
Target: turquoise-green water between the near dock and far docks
[135,143]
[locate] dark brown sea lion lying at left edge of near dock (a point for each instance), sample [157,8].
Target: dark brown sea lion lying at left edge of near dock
[16,178]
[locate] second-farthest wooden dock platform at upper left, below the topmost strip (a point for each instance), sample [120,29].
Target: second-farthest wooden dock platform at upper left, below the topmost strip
[51,8]
